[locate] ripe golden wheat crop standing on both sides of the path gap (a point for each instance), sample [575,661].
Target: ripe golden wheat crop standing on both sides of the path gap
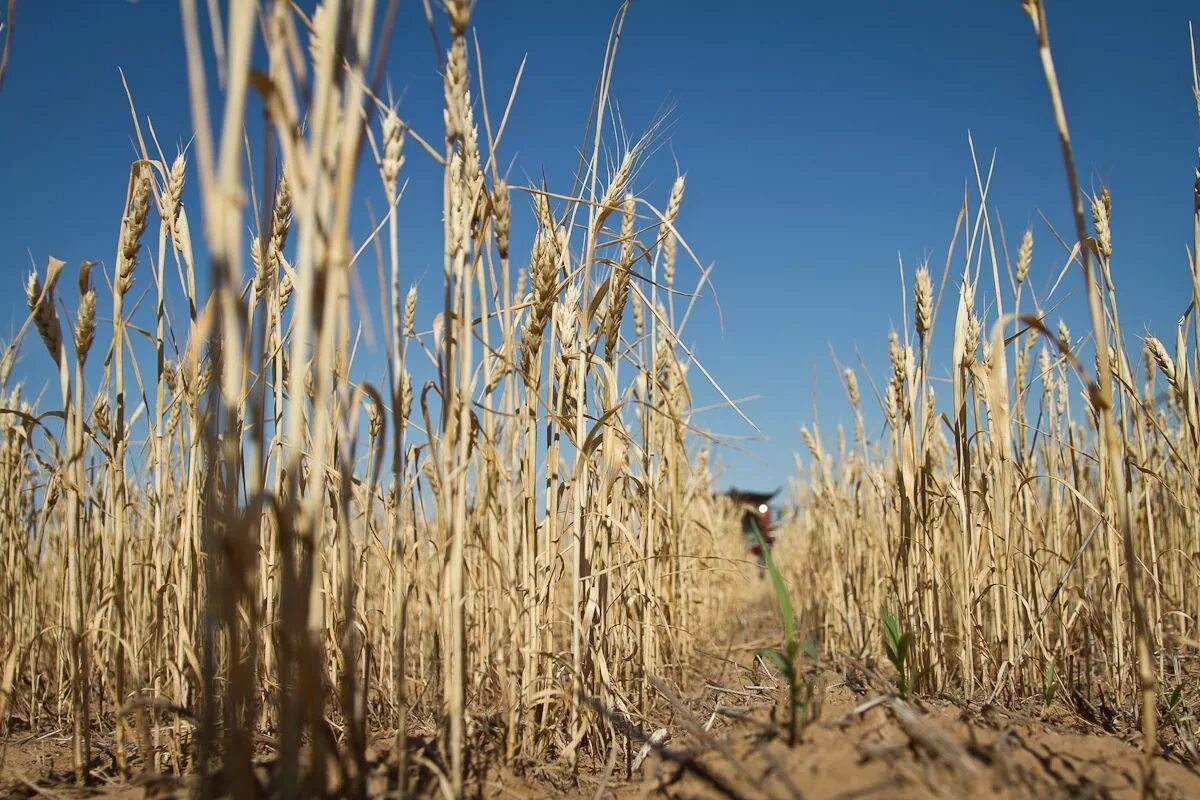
[235,561]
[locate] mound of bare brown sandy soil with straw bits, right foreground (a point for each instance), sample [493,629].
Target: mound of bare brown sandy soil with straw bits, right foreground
[881,748]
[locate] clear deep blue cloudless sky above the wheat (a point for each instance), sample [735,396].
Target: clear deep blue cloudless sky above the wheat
[821,142]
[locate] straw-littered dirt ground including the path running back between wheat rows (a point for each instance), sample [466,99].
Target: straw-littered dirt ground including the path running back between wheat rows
[724,742]
